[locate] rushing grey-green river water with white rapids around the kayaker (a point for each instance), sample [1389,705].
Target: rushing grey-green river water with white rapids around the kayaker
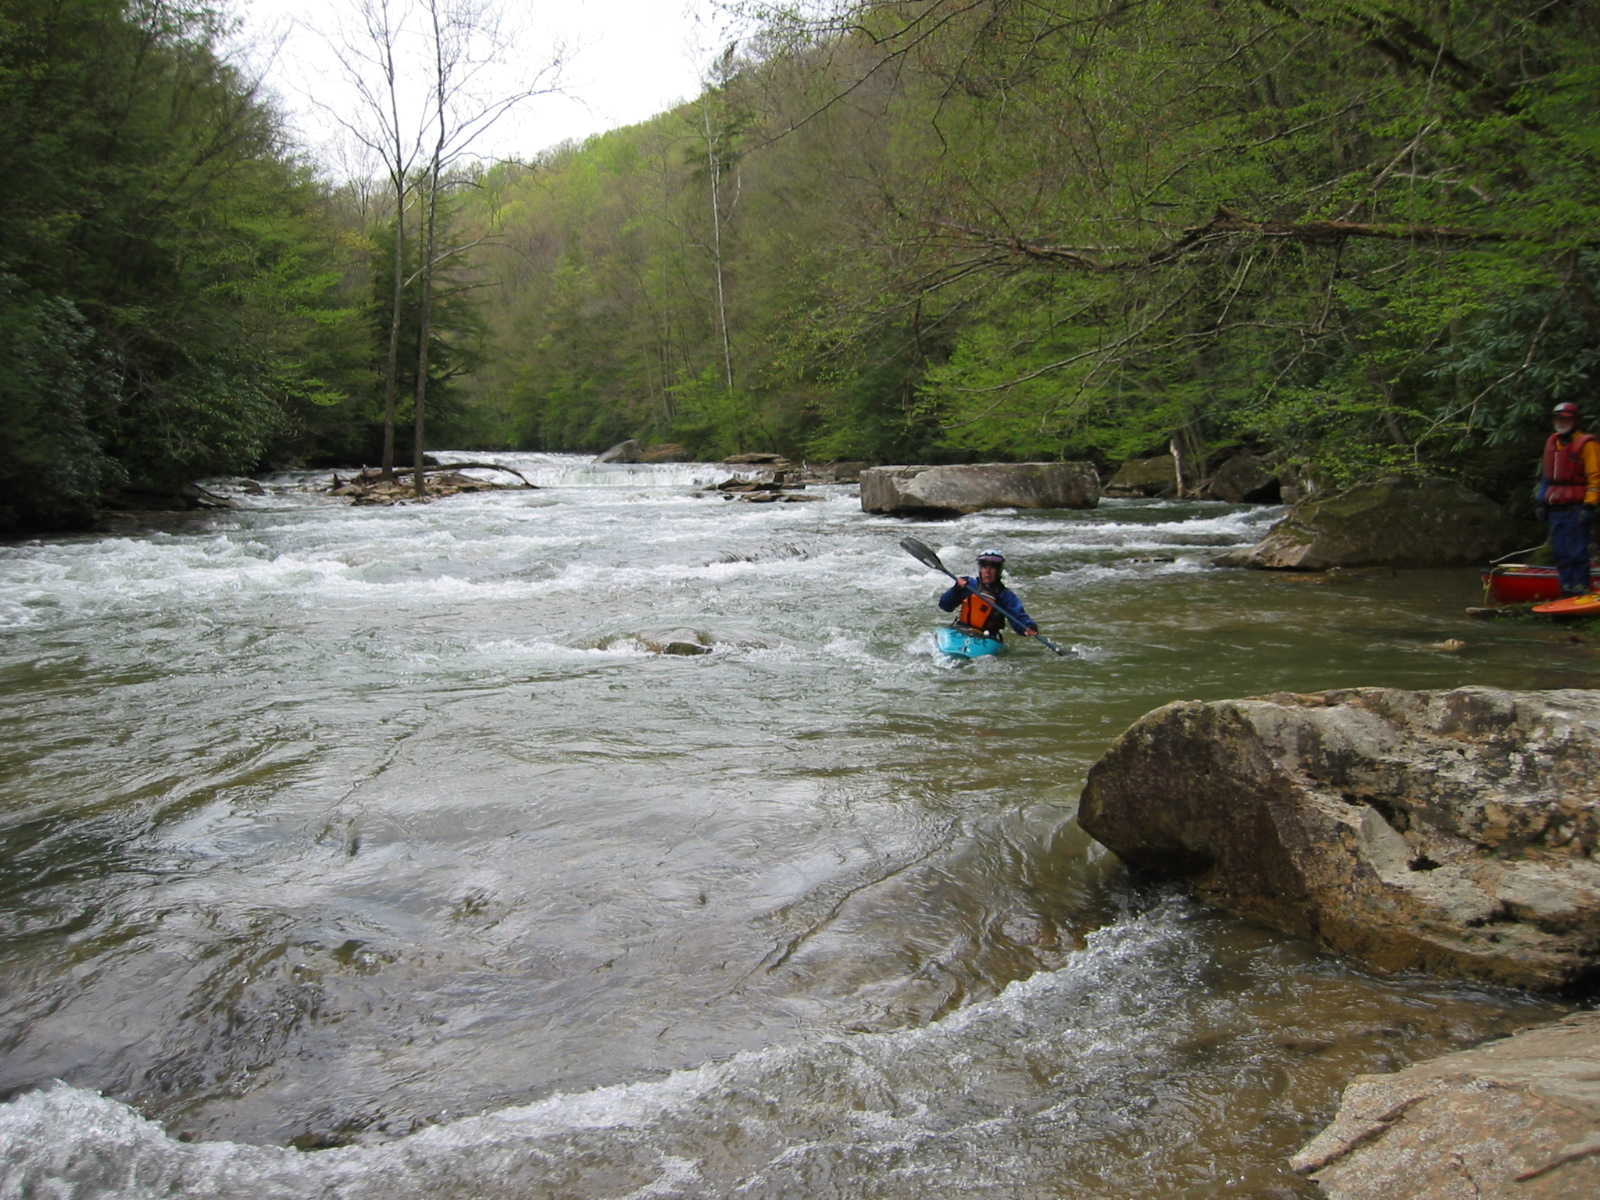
[377,854]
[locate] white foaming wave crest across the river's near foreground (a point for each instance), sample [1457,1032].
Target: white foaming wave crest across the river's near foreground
[870,1092]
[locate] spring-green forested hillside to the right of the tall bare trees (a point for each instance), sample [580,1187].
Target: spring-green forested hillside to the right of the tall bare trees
[1362,236]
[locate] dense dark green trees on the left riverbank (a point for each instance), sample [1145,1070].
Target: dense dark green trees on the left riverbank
[164,258]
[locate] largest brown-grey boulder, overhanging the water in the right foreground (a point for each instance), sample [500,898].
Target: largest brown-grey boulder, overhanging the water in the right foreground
[1450,831]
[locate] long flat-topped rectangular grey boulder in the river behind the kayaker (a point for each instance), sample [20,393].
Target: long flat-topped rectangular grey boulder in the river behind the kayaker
[951,492]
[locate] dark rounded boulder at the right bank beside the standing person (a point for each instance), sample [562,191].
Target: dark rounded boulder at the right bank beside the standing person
[1390,524]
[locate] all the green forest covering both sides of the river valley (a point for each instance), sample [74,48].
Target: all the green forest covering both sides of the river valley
[1358,236]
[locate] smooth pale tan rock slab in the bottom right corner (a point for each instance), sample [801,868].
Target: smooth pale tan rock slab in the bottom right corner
[1519,1118]
